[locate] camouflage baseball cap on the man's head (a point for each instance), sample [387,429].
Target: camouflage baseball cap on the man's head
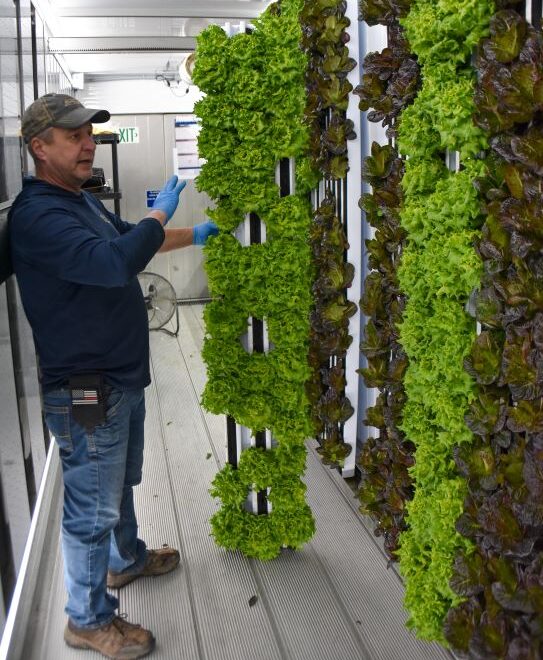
[59,110]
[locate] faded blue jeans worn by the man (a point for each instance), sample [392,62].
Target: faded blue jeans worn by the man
[99,527]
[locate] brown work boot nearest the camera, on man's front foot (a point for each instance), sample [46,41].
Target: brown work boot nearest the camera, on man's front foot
[118,639]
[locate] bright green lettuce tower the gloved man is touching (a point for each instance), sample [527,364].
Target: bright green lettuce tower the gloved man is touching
[260,277]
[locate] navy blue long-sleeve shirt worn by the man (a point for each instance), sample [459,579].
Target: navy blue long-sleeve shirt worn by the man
[76,265]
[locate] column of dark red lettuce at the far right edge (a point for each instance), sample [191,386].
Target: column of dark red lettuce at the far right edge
[501,579]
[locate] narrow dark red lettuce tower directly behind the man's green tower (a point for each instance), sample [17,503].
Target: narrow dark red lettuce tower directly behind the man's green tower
[334,161]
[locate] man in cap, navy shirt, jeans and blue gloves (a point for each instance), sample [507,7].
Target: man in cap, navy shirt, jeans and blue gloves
[76,265]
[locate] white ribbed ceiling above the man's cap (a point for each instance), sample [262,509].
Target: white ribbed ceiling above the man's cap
[105,38]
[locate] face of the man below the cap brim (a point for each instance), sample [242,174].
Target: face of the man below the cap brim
[67,159]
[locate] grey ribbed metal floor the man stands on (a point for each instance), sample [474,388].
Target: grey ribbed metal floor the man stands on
[333,600]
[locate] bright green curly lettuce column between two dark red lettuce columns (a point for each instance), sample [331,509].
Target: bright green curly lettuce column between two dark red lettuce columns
[442,217]
